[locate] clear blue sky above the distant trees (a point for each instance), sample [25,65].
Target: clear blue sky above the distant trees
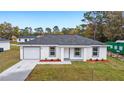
[42,18]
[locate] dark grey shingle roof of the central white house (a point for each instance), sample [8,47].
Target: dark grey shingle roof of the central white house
[63,40]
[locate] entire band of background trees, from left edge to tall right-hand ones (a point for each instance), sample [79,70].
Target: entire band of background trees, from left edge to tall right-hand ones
[99,25]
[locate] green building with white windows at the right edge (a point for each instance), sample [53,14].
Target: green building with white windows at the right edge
[116,47]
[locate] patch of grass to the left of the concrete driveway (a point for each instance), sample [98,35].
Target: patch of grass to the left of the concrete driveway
[9,58]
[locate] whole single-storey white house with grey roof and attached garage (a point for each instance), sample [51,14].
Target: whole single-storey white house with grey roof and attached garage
[64,47]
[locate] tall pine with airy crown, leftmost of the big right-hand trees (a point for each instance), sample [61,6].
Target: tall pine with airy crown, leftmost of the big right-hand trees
[97,19]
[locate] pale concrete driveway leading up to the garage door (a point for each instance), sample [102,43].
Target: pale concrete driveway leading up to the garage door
[19,71]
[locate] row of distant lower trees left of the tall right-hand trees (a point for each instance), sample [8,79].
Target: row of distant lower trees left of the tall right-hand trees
[7,31]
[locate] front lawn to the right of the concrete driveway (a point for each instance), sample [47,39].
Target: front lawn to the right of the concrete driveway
[113,70]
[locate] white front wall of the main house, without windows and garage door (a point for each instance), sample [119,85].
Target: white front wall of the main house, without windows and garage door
[86,53]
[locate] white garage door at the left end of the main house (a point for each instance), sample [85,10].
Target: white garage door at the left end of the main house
[31,52]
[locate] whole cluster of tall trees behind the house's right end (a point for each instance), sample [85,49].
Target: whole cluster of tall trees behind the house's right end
[105,25]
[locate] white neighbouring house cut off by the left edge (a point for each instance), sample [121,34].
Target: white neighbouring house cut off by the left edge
[4,44]
